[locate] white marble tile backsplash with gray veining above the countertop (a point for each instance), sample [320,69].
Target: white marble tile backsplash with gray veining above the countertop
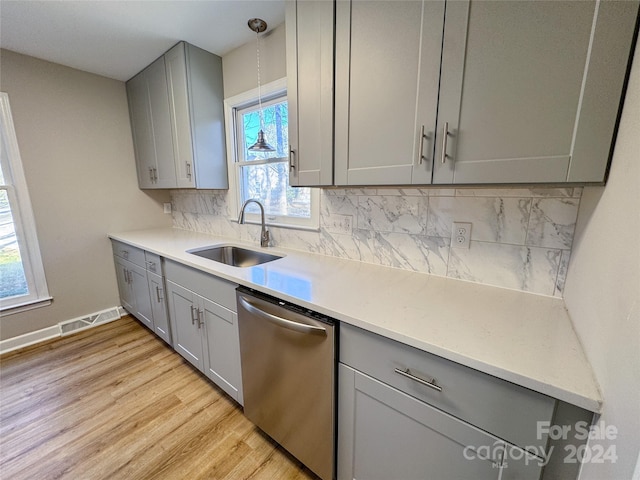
[520,237]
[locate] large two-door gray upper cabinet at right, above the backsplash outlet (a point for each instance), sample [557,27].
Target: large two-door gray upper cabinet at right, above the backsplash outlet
[477,92]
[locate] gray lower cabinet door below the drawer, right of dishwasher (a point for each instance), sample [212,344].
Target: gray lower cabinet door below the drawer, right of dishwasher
[384,433]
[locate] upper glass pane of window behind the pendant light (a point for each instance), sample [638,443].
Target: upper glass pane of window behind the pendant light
[276,131]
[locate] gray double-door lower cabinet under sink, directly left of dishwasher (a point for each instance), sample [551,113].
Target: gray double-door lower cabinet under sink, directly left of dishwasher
[204,325]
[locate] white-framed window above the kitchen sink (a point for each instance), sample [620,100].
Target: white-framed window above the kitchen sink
[264,176]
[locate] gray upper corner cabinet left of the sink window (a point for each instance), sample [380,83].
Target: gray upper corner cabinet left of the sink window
[177,120]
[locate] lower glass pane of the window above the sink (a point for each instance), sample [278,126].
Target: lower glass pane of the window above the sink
[269,183]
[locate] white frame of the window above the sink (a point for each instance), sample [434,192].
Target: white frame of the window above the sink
[270,92]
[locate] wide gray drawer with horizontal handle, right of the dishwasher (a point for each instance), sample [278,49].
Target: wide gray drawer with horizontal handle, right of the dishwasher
[494,405]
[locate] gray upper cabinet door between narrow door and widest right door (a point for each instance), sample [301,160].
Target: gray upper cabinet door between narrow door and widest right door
[387,72]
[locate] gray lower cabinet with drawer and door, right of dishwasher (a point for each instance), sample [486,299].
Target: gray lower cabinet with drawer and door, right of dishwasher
[404,413]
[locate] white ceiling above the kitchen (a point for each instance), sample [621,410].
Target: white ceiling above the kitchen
[117,39]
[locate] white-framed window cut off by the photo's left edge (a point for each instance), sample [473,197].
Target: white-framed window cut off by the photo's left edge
[22,281]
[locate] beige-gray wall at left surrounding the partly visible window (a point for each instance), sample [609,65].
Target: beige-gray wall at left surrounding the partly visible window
[75,142]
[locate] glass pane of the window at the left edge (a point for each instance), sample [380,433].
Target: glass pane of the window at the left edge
[12,278]
